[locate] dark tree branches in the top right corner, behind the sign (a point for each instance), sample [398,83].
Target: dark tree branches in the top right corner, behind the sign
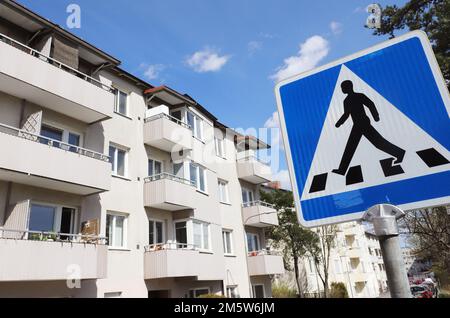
[431,16]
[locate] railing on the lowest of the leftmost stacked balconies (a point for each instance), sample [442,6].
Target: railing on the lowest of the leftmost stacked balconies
[26,235]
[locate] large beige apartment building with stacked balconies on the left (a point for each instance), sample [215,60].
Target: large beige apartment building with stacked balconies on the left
[111,187]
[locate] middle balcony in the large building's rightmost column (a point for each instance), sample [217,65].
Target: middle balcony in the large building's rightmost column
[259,214]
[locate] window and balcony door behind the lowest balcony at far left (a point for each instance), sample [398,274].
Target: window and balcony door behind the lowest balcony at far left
[48,218]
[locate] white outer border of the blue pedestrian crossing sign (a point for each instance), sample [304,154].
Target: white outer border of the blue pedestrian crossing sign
[439,78]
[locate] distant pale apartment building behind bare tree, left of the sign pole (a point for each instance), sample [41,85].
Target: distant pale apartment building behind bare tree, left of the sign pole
[355,260]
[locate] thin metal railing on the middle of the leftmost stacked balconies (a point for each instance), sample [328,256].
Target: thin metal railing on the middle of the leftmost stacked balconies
[13,131]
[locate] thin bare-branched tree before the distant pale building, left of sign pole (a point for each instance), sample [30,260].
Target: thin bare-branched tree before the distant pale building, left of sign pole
[320,253]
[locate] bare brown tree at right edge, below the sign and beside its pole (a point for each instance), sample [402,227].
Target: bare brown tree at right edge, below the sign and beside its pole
[429,231]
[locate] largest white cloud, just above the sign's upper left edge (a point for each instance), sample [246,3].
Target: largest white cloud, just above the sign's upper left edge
[312,51]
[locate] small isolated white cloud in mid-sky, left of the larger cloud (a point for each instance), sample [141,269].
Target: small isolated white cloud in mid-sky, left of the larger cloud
[207,60]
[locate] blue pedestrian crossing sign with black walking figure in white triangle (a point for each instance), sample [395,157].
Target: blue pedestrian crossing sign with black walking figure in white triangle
[368,129]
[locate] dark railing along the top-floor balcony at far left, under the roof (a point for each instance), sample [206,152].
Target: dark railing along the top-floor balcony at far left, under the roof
[55,63]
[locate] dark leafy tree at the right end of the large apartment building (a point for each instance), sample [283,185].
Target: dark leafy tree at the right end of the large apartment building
[289,236]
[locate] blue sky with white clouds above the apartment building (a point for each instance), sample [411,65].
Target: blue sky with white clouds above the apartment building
[227,54]
